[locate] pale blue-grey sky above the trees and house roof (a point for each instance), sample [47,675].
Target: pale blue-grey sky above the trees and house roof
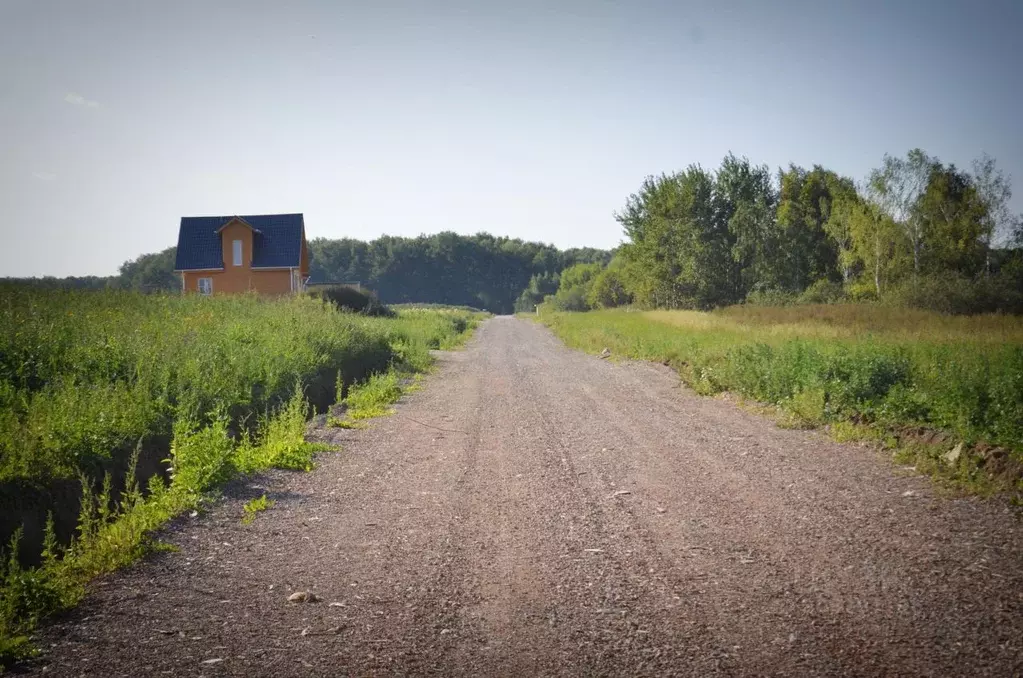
[532,119]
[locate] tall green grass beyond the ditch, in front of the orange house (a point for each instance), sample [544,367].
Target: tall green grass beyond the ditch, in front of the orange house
[85,376]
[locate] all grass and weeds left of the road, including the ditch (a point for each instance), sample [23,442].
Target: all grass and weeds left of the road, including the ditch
[120,411]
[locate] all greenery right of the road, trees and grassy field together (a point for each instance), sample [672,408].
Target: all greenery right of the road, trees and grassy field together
[888,309]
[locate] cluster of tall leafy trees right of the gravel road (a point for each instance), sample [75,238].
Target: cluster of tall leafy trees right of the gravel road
[915,231]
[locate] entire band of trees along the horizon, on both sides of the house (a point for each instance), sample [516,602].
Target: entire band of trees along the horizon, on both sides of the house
[916,233]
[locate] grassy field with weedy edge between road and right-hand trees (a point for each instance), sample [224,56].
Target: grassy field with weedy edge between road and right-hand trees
[921,382]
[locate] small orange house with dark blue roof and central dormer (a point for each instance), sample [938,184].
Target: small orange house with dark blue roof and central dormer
[262,253]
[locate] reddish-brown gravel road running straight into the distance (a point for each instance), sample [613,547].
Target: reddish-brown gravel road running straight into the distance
[535,511]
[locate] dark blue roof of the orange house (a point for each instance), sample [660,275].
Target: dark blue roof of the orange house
[277,241]
